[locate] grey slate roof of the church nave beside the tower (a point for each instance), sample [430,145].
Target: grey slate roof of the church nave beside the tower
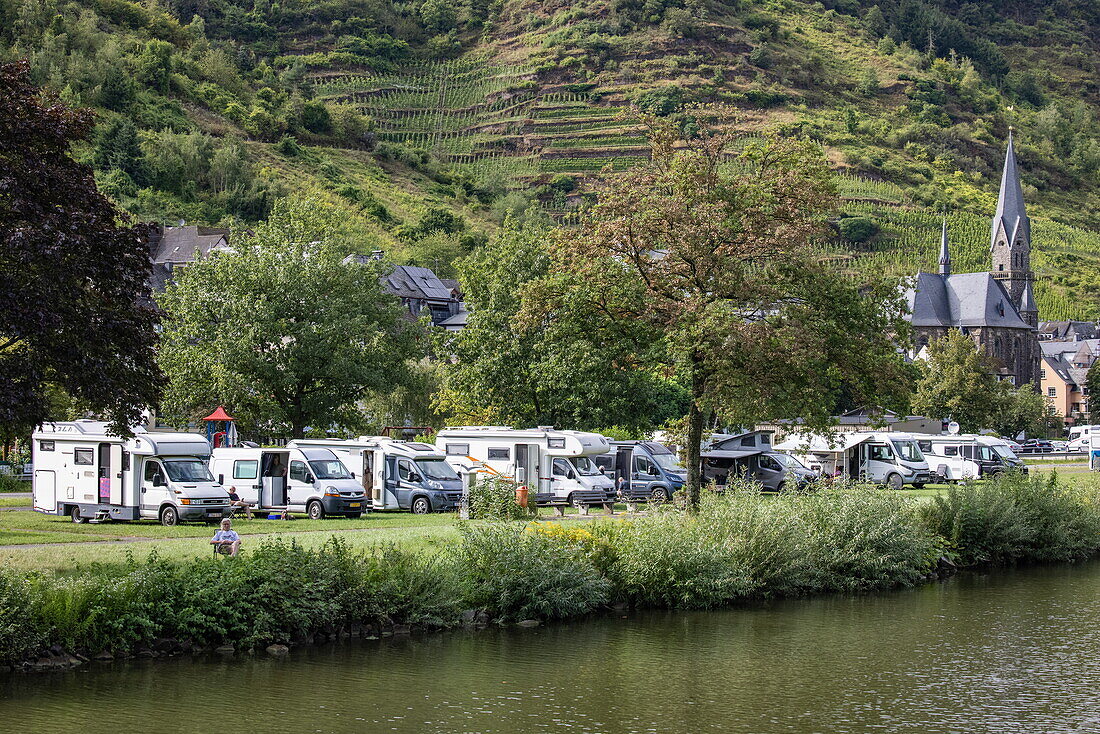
[965,300]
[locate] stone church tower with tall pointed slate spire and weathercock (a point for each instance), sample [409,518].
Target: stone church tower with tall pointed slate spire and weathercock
[1010,242]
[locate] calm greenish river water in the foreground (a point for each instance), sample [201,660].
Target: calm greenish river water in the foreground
[1010,652]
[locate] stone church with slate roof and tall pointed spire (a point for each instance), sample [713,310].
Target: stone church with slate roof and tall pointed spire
[997,309]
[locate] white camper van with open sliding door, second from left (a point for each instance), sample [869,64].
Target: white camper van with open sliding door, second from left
[303,480]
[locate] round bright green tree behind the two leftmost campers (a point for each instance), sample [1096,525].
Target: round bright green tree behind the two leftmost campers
[282,331]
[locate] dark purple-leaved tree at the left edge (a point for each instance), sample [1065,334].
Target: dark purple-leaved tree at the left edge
[75,308]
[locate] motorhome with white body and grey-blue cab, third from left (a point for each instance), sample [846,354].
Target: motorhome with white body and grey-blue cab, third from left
[397,475]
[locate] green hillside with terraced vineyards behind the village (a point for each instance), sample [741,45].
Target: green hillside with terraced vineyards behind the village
[430,123]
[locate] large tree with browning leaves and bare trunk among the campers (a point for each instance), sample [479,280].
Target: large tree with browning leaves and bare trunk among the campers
[716,253]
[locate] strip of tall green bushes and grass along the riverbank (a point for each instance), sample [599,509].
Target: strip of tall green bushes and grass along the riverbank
[742,546]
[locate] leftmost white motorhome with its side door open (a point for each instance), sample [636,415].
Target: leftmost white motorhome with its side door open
[87,474]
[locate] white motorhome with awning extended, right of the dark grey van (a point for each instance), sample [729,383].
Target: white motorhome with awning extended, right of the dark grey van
[894,459]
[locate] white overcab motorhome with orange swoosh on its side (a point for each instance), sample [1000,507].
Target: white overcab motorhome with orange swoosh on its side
[558,466]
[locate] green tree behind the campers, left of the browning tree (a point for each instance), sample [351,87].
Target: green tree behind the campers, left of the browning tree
[570,368]
